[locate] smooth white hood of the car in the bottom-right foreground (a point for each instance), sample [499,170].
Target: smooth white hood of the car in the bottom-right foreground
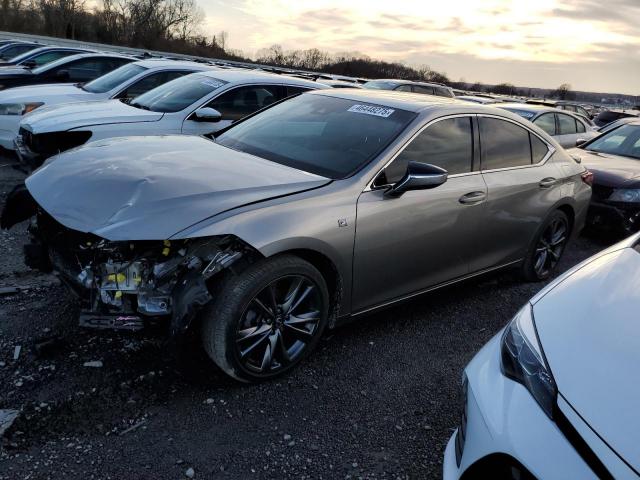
[590,332]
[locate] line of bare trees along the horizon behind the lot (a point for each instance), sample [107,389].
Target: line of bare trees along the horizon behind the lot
[175,26]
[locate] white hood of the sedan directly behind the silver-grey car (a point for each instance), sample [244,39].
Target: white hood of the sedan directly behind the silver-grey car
[73,115]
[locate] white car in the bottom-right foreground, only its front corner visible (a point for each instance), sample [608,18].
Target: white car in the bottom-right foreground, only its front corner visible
[554,394]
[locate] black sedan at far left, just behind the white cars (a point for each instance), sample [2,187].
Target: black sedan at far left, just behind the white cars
[73,69]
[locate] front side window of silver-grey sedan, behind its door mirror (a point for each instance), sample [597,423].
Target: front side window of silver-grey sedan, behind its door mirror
[447,144]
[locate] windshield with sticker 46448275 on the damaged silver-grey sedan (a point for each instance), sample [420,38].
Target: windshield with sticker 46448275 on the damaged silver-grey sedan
[328,136]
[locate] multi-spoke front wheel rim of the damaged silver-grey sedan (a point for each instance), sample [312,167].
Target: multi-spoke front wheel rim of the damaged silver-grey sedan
[278,324]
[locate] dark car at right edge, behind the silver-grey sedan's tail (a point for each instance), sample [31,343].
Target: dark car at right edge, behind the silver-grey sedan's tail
[614,160]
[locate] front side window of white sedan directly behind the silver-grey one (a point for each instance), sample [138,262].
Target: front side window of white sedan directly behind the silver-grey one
[243,101]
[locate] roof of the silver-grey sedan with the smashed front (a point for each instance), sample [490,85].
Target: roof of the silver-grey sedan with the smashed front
[412,102]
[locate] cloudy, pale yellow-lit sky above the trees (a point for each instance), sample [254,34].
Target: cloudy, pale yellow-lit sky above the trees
[591,44]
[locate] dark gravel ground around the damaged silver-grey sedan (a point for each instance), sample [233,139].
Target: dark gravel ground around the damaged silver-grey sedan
[378,399]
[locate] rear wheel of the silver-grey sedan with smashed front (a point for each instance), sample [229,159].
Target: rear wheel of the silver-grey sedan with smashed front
[552,237]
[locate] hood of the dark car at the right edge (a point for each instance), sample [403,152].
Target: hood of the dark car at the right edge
[610,170]
